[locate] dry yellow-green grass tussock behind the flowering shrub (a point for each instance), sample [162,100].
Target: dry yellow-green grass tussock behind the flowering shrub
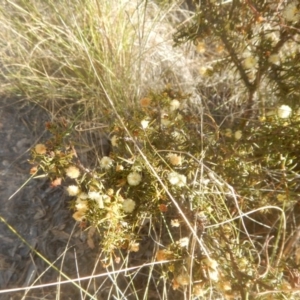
[60,56]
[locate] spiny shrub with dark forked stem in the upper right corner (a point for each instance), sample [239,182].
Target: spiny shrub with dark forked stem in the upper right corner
[260,42]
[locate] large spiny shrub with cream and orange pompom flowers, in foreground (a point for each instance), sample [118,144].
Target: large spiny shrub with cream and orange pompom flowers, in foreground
[160,163]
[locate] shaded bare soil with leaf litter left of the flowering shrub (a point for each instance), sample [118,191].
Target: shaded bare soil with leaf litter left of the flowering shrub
[37,212]
